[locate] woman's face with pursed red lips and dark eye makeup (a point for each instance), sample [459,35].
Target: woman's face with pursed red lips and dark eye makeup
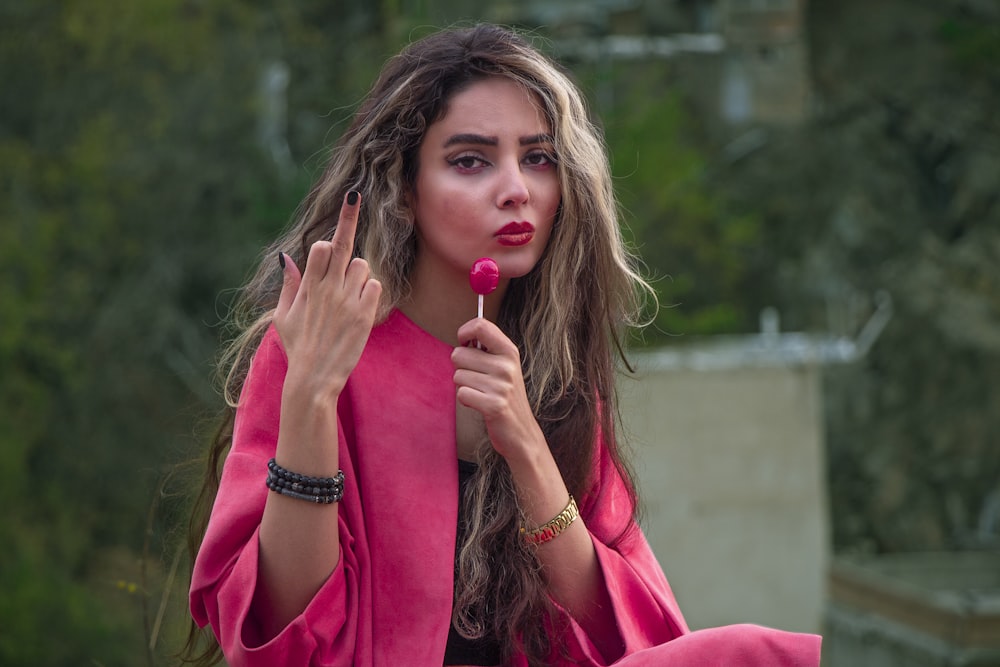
[486,185]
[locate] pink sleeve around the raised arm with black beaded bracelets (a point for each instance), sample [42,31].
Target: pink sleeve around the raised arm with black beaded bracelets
[224,578]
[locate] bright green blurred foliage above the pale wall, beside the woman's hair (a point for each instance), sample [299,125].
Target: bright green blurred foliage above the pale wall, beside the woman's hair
[701,252]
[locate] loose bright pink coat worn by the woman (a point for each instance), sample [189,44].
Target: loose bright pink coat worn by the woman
[388,602]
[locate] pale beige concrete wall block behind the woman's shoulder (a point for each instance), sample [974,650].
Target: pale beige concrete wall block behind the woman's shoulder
[732,481]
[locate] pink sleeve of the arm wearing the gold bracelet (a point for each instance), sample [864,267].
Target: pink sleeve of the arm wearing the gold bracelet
[650,622]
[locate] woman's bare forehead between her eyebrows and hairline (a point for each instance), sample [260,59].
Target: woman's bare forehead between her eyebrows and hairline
[493,106]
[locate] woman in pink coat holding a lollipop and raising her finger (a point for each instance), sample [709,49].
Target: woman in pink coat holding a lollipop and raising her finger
[466,502]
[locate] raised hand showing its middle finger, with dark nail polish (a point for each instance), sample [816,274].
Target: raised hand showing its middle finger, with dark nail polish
[325,316]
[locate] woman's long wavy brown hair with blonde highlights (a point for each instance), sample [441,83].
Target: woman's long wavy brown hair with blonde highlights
[567,315]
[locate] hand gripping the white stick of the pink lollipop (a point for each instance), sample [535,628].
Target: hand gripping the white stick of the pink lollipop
[489,380]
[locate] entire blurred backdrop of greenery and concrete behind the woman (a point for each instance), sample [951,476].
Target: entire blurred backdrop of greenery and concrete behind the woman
[832,164]
